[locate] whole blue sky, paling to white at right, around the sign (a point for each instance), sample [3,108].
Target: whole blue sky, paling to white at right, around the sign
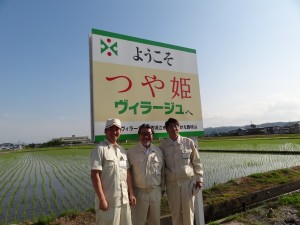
[248,59]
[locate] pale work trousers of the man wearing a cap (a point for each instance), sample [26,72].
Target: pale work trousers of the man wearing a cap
[119,215]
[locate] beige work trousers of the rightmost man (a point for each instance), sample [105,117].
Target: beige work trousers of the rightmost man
[181,202]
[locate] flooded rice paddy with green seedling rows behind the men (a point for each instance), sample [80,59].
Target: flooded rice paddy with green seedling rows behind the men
[49,182]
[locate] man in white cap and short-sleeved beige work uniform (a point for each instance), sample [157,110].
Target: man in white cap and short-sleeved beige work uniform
[111,179]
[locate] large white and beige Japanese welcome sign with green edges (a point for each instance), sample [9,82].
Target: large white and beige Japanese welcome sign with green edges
[141,81]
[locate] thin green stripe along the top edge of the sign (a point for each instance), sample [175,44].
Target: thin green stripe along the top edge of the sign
[143,41]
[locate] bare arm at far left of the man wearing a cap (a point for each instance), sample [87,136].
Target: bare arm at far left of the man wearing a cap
[96,180]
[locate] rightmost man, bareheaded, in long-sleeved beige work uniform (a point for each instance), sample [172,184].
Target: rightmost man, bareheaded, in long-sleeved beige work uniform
[184,174]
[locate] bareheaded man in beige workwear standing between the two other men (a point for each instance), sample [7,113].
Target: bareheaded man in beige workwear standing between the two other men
[146,164]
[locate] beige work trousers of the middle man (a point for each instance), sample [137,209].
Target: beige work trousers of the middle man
[147,207]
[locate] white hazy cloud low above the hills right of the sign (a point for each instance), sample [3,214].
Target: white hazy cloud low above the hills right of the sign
[272,108]
